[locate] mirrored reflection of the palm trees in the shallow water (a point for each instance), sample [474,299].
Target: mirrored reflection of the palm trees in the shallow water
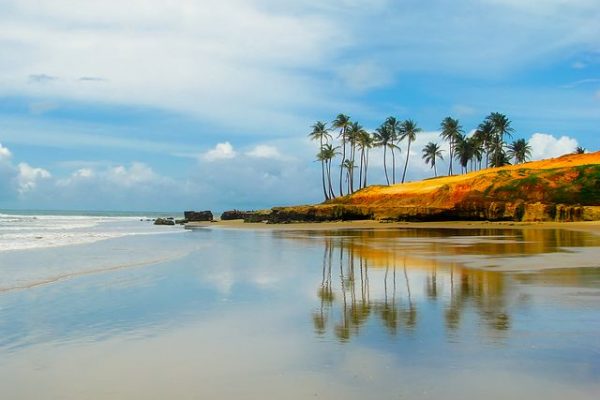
[378,285]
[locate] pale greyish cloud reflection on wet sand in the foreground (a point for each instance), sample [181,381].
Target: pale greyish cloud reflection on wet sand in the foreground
[207,360]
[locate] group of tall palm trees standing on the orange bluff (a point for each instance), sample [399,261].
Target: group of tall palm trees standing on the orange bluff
[485,147]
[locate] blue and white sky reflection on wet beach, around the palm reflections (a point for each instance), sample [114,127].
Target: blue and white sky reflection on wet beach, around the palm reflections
[238,309]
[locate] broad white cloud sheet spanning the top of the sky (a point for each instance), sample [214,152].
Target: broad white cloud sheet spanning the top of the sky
[279,60]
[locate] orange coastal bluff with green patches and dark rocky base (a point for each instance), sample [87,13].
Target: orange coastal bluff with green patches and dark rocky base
[566,189]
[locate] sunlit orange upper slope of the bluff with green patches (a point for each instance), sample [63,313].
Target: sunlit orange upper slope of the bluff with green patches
[571,179]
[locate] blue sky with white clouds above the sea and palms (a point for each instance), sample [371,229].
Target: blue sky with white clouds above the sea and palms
[150,105]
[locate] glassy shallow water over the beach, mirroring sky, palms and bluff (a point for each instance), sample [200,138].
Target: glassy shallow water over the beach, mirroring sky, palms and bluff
[383,314]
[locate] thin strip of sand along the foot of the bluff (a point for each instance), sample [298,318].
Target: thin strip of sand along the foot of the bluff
[587,226]
